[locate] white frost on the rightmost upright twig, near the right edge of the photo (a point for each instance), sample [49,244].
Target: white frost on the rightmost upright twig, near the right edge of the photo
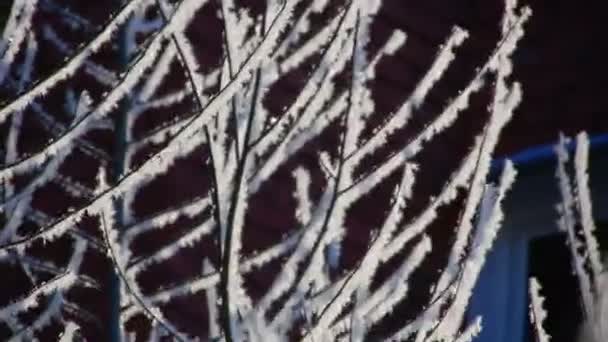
[581,161]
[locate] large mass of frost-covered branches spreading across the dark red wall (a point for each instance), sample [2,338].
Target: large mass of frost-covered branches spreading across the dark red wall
[170,103]
